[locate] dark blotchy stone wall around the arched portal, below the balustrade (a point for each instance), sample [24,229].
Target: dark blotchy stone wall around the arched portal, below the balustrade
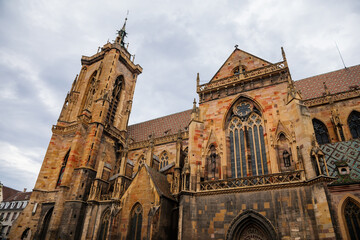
[293,212]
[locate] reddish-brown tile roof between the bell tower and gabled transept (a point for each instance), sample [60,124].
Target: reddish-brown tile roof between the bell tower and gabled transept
[160,126]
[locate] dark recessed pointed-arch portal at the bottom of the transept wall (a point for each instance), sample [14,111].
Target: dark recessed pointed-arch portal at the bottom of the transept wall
[251,225]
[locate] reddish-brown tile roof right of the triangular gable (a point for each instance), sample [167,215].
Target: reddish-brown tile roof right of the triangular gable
[337,81]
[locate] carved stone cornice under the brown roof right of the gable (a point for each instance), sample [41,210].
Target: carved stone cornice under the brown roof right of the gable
[323,100]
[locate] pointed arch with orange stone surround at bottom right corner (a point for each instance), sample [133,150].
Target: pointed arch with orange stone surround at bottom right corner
[349,216]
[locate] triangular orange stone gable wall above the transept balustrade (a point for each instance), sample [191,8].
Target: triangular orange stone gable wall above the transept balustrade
[239,58]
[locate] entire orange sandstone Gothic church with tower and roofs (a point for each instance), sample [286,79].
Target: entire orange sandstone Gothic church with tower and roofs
[259,157]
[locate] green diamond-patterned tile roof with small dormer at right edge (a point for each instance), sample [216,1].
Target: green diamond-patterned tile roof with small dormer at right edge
[343,151]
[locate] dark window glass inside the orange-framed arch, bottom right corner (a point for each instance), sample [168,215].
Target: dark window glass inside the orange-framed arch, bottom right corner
[352,218]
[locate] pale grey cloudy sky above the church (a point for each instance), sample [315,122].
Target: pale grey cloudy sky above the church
[41,43]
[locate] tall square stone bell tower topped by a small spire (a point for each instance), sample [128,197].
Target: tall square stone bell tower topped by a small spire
[87,151]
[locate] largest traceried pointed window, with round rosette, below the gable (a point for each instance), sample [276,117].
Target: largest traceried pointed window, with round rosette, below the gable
[247,144]
